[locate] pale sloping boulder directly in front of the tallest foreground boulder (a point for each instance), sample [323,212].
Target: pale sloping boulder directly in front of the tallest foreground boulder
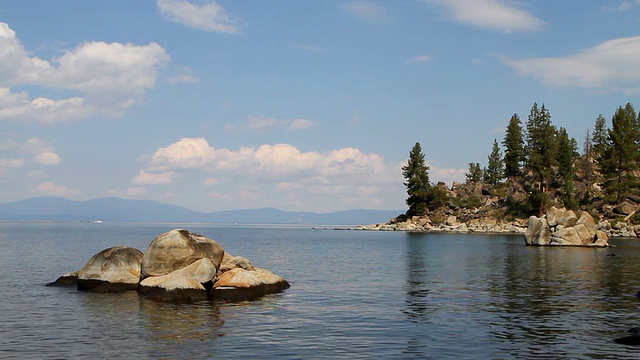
[187,284]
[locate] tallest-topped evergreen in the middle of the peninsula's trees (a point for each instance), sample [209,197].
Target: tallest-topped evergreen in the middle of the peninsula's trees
[540,145]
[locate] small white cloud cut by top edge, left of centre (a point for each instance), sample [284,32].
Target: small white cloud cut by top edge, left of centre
[208,17]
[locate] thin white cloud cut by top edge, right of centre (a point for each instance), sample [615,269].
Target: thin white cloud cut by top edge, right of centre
[491,14]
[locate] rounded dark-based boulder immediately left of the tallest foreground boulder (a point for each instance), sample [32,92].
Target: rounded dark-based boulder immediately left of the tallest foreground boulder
[111,270]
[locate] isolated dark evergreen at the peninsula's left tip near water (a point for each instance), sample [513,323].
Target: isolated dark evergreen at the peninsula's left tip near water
[417,182]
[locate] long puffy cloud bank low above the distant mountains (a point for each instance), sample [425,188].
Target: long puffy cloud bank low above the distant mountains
[260,175]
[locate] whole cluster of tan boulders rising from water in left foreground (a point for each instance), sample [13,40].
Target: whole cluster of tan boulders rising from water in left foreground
[177,266]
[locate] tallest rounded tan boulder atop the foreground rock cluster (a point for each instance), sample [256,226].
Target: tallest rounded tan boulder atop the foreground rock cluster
[178,249]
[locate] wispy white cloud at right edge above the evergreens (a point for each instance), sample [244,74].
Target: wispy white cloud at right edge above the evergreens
[613,65]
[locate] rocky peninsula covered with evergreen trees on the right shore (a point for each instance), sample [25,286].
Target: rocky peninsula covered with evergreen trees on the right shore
[539,168]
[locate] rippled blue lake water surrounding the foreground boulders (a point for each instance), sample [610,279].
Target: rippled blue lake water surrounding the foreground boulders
[354,294]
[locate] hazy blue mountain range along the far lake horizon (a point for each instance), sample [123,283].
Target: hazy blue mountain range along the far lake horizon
[116,209]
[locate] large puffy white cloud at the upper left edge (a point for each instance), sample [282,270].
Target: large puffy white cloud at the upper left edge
[107,79]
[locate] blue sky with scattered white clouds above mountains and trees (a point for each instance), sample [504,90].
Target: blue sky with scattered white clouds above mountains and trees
[298,105]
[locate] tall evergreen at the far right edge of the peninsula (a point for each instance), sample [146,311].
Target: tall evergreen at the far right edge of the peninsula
[621,155]
